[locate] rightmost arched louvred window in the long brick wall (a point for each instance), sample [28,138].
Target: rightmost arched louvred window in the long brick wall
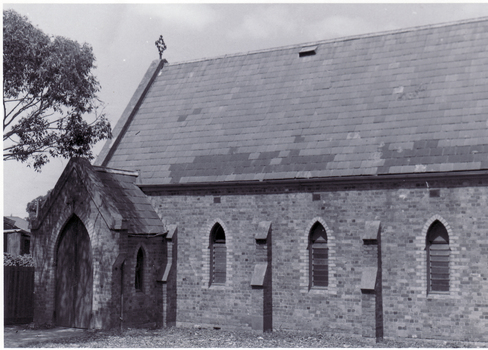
[437,246]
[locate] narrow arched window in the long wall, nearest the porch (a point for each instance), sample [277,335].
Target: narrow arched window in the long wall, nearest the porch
[218,255]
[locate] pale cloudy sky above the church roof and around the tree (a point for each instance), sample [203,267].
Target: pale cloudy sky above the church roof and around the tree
[122,37]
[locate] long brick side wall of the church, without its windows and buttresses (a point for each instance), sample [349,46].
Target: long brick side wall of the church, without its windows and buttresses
[405,208]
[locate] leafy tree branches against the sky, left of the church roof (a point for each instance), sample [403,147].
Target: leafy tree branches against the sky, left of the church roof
[50,101]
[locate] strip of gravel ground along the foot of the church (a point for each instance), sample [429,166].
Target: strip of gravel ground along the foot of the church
[210,338]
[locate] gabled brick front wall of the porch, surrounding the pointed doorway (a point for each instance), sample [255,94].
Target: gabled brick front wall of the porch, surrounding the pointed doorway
[72,200]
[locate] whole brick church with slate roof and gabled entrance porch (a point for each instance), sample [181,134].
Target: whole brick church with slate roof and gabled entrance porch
[335,186]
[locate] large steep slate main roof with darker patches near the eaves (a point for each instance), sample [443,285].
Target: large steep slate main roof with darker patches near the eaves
[401,102]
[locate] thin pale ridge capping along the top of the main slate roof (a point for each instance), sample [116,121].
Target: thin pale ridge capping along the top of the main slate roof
[344,38]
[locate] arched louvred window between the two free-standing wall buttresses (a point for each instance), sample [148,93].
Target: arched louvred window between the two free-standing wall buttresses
[318,257]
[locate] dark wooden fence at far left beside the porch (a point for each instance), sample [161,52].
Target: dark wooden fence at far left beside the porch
[18,291]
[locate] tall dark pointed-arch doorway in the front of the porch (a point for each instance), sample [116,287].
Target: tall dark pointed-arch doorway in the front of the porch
[74,276]
